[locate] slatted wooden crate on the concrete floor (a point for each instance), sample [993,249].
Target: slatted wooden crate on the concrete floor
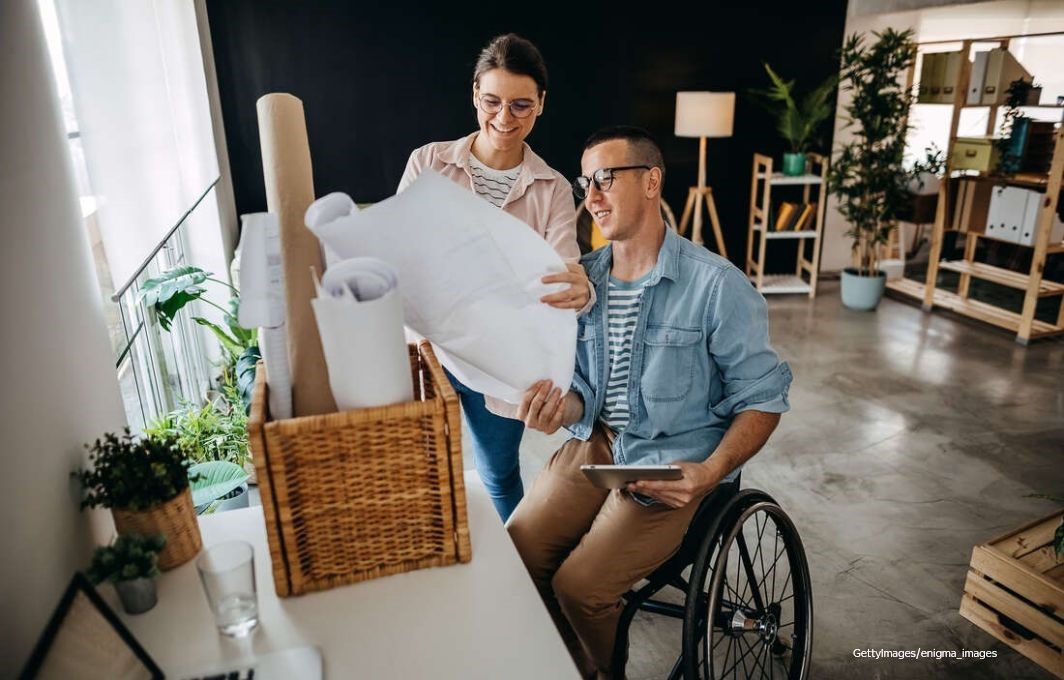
[1016,592]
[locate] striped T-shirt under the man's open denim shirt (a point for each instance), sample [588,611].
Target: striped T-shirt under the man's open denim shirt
[623,311]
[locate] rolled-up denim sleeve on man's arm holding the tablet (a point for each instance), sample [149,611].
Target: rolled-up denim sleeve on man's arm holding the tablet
[754,377]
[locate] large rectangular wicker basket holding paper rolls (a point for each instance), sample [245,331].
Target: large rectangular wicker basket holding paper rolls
[362,494]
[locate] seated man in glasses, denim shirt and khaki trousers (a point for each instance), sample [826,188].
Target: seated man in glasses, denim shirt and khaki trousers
[674,367]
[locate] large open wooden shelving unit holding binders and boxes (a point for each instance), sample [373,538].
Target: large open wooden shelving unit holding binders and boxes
[1033,283]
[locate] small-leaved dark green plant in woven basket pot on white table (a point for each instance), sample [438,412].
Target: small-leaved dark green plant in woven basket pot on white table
[145,483]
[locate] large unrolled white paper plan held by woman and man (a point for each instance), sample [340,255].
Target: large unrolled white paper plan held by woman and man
[471,283]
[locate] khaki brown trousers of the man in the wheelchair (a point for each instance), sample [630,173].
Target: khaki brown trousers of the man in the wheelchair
[586,546]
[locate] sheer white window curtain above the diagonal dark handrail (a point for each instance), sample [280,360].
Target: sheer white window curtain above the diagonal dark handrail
[140,96]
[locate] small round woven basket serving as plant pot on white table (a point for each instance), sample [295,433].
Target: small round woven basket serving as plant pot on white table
[176,520]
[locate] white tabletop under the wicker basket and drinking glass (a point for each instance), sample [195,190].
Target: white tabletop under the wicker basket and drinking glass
[480,620]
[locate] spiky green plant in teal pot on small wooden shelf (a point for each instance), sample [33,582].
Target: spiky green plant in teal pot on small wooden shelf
[797,123]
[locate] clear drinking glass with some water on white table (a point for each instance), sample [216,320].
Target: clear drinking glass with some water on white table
[228,573]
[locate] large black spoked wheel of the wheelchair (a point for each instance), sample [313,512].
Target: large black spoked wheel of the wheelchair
[750,610]
